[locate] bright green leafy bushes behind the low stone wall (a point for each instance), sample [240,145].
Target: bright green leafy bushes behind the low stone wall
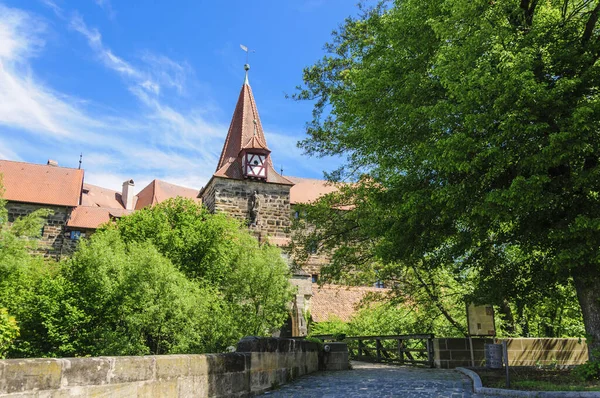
[168,279]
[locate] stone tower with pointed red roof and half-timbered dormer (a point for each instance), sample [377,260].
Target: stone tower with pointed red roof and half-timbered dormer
[245,185]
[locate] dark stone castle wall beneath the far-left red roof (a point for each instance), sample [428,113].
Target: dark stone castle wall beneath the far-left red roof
[52,242]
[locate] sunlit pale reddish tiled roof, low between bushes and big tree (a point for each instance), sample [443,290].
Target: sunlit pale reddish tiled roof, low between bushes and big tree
[337,301]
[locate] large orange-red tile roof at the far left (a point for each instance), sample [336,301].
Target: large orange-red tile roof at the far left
[43,184]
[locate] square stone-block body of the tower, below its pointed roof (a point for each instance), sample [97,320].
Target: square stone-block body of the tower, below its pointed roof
[234,196]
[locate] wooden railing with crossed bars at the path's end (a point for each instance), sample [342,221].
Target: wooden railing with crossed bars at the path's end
[412,349]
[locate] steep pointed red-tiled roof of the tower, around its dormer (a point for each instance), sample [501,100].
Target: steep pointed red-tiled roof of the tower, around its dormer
[245,132]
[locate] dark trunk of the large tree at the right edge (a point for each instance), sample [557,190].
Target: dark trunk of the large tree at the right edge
[587,285]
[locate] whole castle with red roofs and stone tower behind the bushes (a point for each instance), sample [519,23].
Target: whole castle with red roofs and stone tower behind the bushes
[245,185]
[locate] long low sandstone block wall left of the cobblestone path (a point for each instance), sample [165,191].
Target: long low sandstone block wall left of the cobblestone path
[259,365]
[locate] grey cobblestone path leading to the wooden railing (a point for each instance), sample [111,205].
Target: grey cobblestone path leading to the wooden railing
[377,380]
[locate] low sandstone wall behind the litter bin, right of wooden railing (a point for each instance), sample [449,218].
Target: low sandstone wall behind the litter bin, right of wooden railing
[455,352]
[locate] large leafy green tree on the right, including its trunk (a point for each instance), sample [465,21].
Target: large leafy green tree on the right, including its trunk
[477,124]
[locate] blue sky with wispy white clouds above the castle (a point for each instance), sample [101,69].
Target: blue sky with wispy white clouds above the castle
[146,89]
